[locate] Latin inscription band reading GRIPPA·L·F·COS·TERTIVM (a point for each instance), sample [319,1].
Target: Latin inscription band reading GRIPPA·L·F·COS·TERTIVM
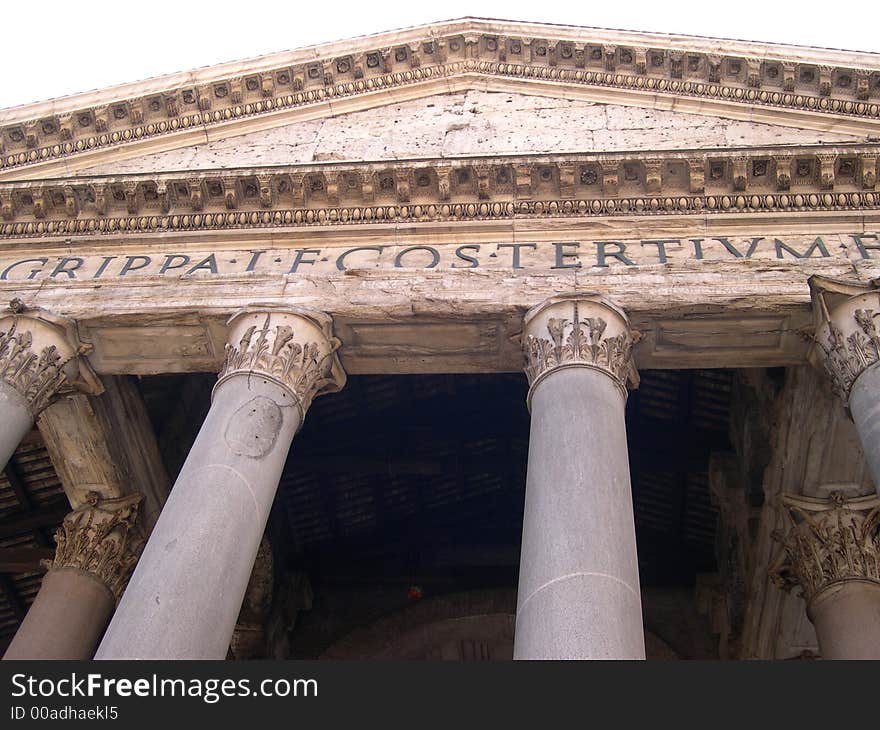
[597,255]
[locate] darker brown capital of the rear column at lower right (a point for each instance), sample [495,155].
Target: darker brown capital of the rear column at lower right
[827,541]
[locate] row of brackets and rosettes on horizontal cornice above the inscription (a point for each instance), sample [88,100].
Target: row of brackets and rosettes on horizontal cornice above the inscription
[766,170]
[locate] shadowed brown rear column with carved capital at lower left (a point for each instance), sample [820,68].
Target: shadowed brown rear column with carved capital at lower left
[96,551]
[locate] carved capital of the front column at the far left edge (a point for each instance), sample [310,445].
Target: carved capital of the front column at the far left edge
[40,355]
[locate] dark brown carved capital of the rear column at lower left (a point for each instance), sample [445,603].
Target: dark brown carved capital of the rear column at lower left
[100,538]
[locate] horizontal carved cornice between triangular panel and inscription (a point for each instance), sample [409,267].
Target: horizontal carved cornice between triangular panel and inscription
[779,180]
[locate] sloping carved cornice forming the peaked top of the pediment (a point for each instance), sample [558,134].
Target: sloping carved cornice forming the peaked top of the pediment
[804,86]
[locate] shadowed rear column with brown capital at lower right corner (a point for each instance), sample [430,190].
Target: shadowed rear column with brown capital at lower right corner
[832,553]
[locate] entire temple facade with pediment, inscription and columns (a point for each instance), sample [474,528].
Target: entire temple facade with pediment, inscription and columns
[476,340]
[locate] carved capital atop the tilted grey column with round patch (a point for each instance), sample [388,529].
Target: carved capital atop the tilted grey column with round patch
[293,347]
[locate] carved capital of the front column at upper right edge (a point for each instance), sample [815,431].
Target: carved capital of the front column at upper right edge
[847,338]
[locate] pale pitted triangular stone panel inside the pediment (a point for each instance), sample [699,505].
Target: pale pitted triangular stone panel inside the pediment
[471,123]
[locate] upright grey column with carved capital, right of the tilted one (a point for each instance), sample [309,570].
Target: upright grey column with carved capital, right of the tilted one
[578,592]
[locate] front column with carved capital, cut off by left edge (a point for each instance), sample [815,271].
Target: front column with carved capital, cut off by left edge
[39,356]
